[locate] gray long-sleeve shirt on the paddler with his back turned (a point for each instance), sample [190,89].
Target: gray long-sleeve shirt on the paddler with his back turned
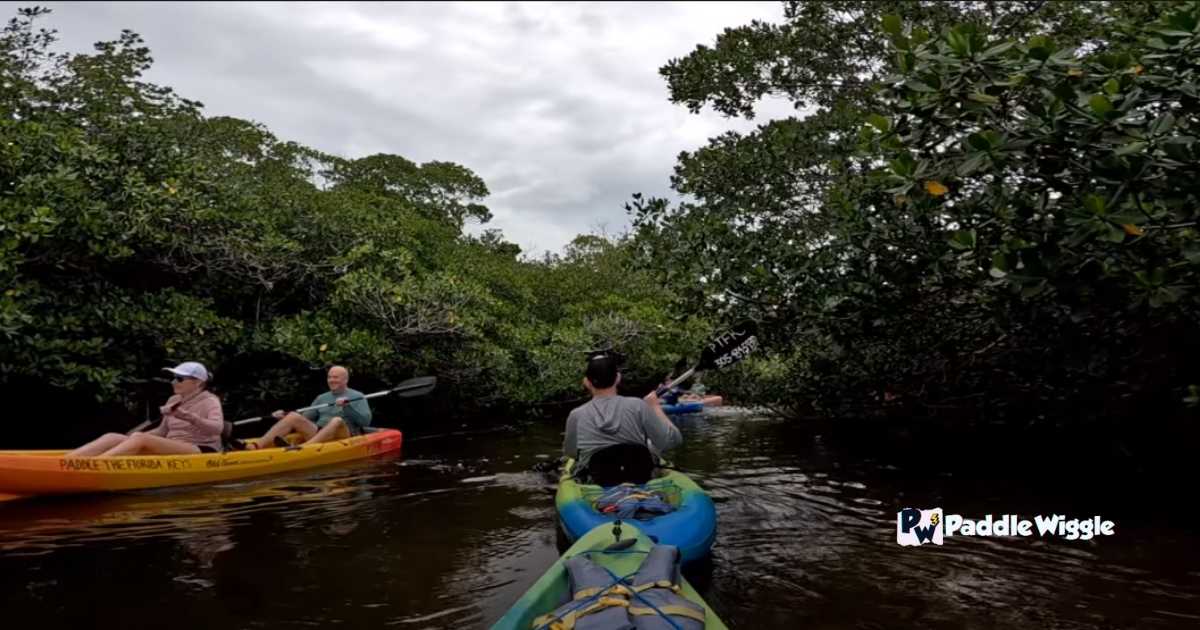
[611,421]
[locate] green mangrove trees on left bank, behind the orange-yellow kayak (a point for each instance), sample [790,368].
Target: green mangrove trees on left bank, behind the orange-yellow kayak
[136,232]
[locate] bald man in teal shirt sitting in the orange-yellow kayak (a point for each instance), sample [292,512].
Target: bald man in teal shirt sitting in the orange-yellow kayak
[346,416]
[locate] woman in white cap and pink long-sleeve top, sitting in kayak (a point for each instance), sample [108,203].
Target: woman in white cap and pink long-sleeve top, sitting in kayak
[193,422]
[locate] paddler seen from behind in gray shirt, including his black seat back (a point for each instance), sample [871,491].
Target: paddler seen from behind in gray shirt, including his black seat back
[609,436]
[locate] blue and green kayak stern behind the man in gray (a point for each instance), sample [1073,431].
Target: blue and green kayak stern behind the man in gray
[692,526]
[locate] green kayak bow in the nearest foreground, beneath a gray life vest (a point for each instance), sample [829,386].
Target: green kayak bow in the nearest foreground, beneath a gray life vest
[623,559]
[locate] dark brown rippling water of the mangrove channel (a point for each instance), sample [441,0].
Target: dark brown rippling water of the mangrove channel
[454,531]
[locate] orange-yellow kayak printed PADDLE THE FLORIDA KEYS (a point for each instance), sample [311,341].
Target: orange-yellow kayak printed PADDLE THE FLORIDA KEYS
[28,473]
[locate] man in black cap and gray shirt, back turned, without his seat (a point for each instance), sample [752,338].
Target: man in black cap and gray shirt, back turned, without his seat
[611,421]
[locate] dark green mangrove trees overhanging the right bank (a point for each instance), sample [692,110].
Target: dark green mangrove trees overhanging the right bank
[988,208]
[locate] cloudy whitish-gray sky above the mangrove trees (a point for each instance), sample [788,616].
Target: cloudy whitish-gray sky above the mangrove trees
[559,107]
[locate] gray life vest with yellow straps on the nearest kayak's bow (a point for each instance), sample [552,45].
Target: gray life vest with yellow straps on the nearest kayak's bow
[601,602]
